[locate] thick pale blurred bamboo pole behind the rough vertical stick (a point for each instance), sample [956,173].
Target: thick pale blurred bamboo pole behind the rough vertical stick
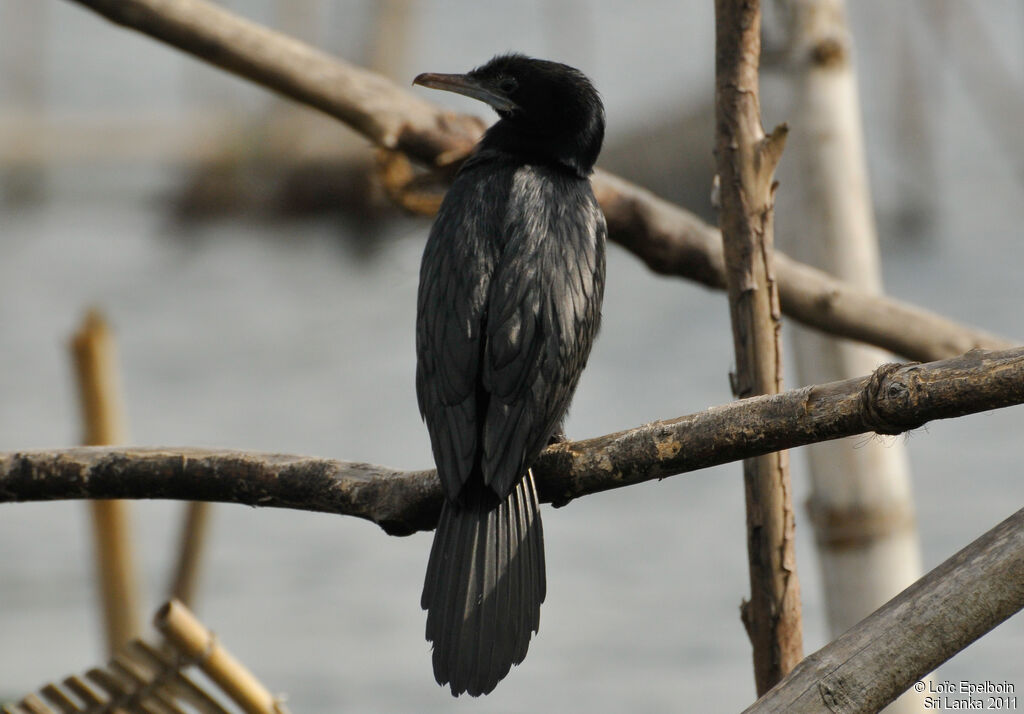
[861,506]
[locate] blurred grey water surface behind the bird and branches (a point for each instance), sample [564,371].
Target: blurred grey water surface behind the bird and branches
[271,335]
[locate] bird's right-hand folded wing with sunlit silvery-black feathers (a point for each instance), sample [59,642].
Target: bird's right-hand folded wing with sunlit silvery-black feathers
[544,310]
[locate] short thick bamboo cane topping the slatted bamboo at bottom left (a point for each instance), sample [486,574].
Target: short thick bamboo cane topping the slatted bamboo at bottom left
[189,637]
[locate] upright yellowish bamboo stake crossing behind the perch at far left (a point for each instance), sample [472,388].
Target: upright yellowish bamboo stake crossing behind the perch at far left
[103,415]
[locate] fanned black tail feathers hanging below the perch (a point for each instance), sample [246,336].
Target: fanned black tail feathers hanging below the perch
[485,586]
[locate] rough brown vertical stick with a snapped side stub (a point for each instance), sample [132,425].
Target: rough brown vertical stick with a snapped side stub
[747,161]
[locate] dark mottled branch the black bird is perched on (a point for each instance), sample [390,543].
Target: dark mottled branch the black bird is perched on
[893,400]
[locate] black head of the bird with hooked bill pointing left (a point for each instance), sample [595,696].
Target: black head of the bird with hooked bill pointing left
[549,112]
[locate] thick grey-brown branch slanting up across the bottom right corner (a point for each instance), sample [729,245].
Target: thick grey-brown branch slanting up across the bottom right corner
[938,616]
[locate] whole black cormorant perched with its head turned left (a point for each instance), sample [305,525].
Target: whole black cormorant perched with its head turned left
[509,305]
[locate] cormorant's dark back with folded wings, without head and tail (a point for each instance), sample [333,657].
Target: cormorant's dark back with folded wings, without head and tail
[509,306]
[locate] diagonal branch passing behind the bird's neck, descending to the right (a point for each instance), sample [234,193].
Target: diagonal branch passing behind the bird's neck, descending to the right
[669,239]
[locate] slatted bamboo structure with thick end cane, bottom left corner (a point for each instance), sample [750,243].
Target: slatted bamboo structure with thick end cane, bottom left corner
[152,680]
